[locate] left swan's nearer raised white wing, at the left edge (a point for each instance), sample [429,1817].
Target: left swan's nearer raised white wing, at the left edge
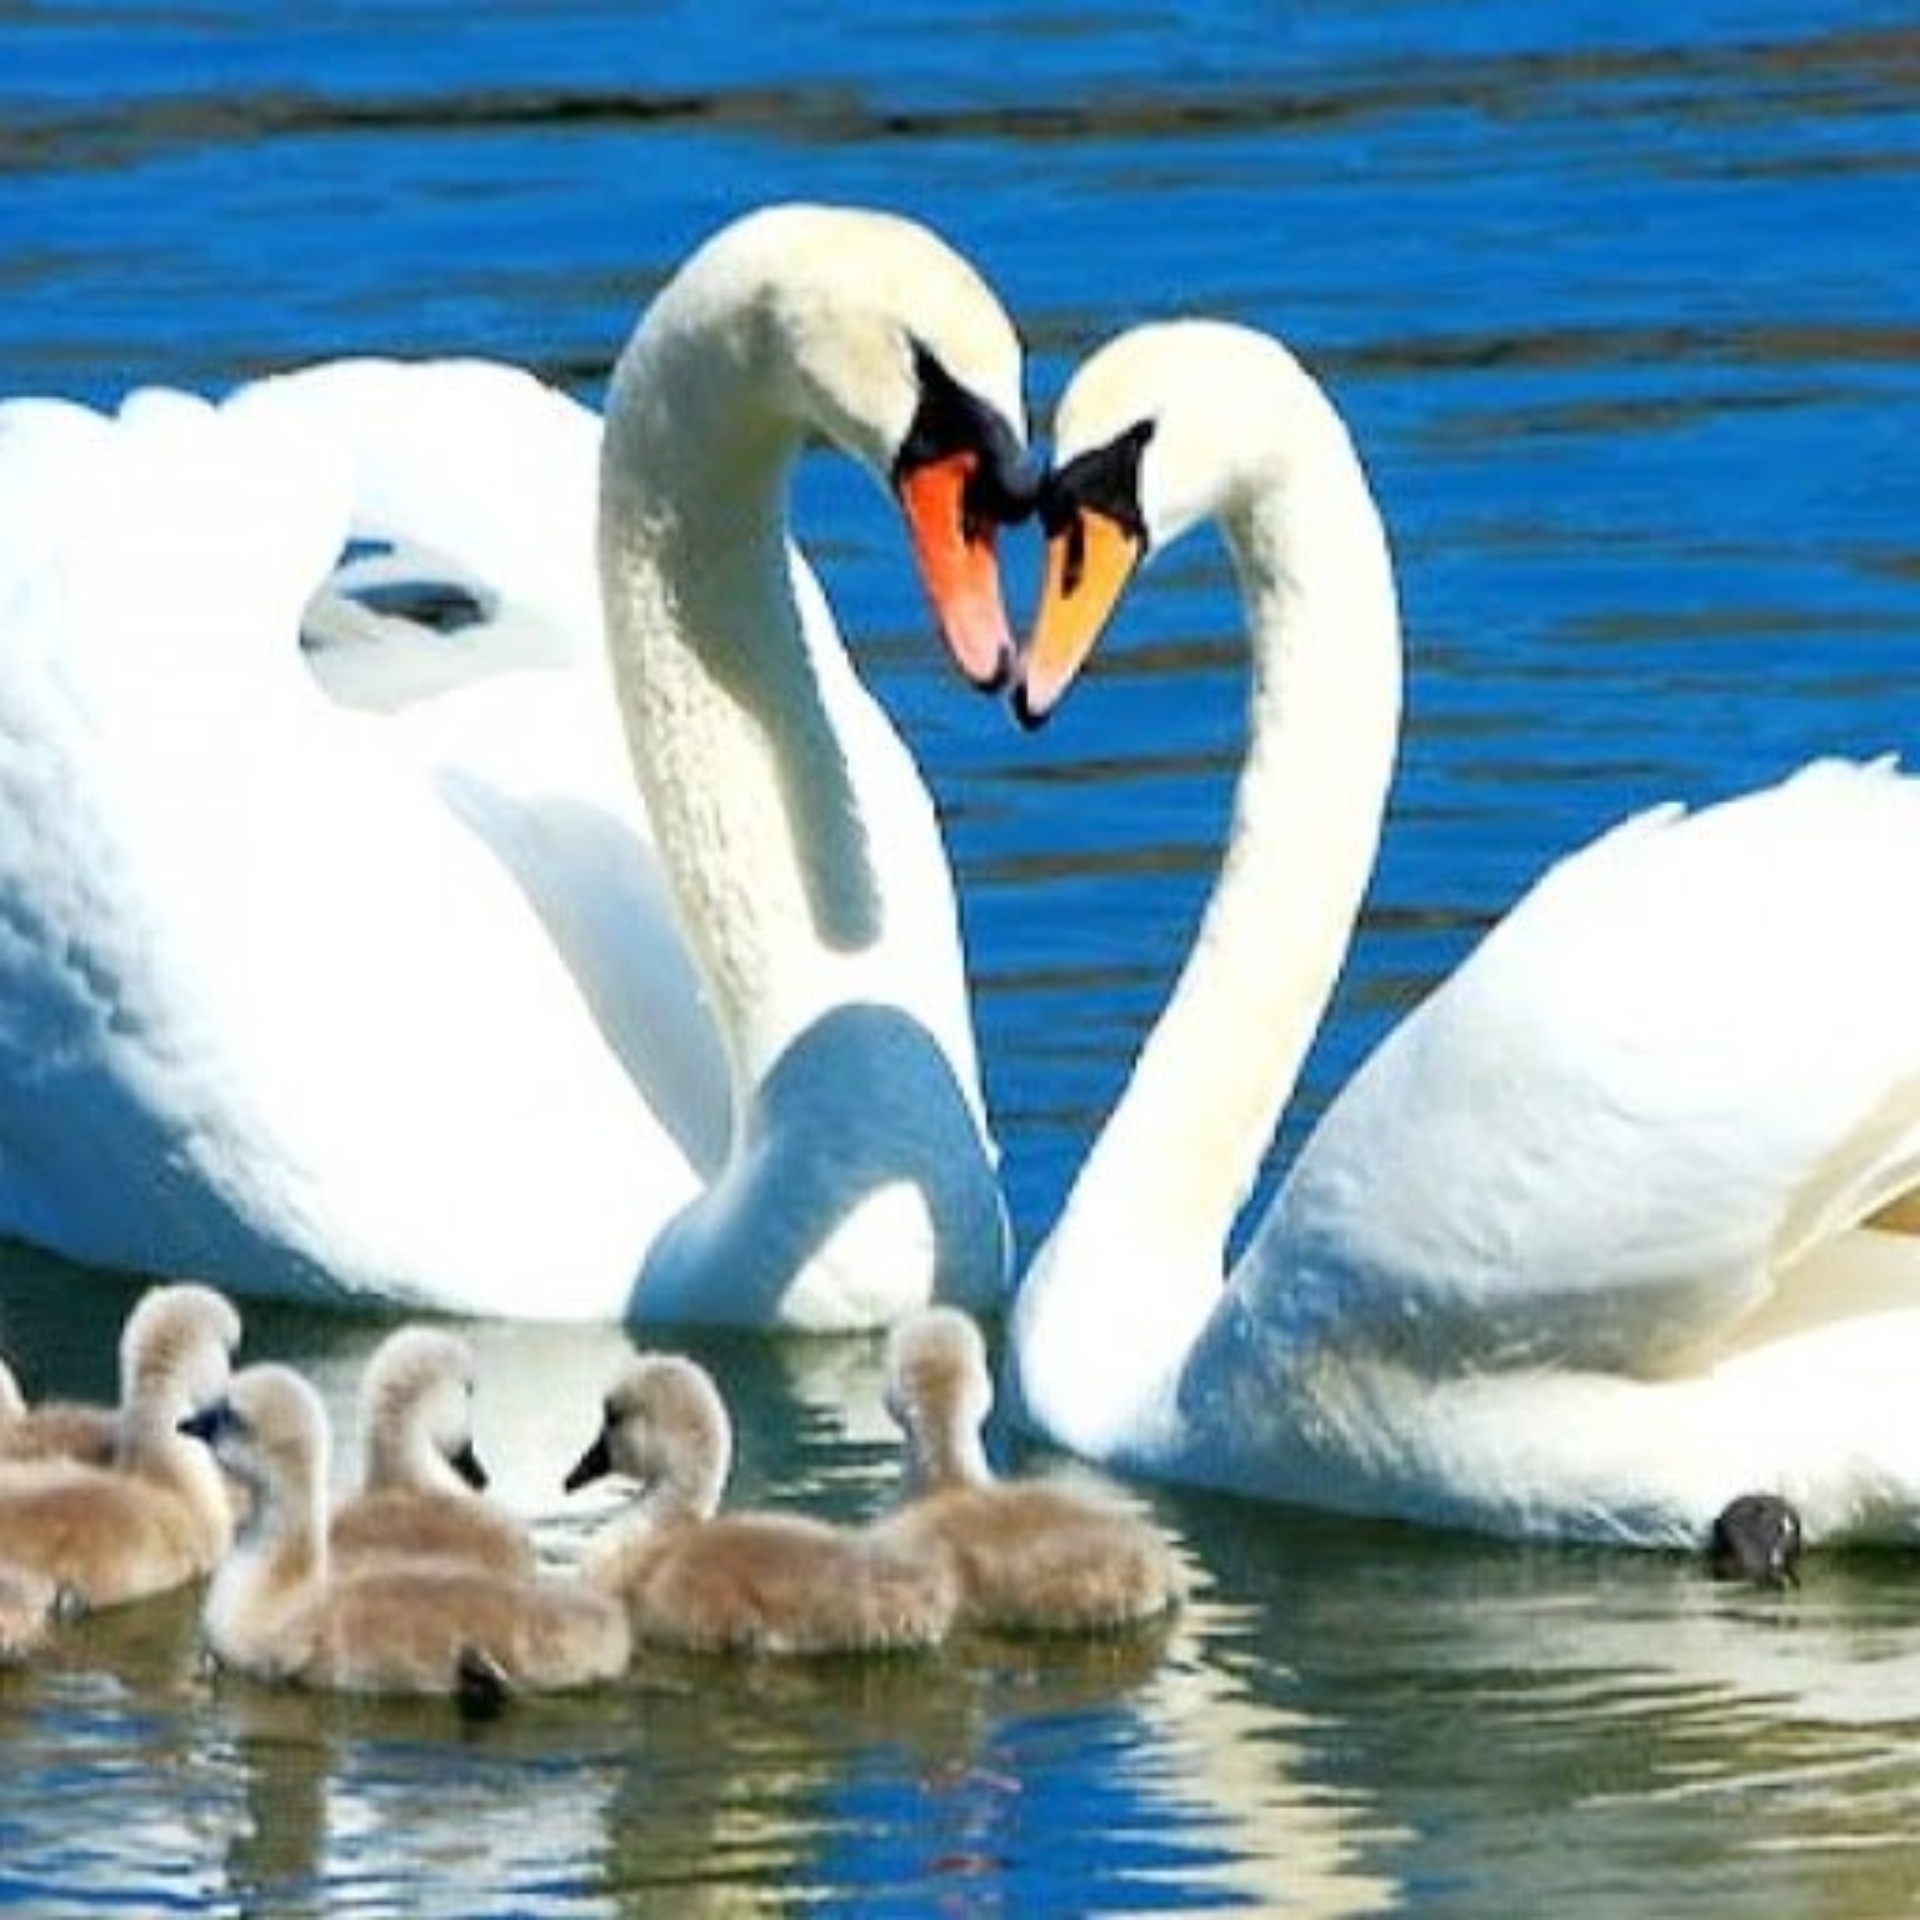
[270,1009]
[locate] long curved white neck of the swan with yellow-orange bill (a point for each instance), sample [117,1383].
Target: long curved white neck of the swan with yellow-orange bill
[1145,1226]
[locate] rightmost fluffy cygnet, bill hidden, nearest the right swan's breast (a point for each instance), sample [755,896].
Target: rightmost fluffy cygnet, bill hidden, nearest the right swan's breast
[1032,1556]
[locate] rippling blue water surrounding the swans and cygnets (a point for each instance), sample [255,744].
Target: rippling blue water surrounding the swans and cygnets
[1621,304]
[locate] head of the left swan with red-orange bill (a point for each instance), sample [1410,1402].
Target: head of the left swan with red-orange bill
[873,333]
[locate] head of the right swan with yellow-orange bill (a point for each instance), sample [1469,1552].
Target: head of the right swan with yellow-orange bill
[1163,429]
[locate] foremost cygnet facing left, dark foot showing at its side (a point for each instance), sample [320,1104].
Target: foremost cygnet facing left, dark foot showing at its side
[279,1612]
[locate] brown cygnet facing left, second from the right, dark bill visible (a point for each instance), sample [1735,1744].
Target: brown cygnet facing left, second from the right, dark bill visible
[738,1583]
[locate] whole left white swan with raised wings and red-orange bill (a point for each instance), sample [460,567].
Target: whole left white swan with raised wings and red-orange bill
[375,996]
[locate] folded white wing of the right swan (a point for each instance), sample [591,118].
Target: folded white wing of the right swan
[1644,1111]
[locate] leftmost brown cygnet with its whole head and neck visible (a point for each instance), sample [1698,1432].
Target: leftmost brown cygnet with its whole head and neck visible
[160,1514]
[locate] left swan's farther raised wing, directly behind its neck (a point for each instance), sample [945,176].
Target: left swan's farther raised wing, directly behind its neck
[475,487]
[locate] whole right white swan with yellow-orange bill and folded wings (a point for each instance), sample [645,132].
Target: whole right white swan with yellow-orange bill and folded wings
[1612,1230]
